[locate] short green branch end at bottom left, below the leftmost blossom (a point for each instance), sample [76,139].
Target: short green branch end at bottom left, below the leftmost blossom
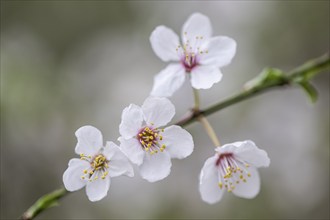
[45,202]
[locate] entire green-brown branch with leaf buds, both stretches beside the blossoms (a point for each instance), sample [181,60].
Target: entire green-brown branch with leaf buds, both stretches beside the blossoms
[268,79]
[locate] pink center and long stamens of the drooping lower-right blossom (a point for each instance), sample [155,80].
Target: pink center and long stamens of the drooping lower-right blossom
[231,171]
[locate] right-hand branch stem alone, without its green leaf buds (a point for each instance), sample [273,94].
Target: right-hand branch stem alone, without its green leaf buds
[307,70]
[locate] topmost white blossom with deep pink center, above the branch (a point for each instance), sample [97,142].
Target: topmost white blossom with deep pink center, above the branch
[199,56]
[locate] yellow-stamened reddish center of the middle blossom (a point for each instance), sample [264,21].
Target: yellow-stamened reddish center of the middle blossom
[150,138]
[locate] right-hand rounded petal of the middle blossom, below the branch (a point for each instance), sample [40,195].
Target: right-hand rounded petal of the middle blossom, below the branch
[179,143]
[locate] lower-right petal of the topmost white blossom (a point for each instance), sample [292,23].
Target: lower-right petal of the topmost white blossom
[203,77]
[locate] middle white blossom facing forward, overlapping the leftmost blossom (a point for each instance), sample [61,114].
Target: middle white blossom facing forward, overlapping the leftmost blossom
[147,144]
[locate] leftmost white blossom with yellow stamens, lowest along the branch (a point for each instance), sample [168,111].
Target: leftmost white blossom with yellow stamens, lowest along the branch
[97,164]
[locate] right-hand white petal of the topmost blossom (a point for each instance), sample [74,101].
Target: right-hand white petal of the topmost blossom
[220,51]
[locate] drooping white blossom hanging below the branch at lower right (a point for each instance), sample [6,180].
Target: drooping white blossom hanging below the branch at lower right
[234,169]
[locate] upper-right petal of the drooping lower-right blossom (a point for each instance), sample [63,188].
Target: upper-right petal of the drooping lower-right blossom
[251,154]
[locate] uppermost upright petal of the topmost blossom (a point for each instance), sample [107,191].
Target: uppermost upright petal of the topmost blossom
[197,25]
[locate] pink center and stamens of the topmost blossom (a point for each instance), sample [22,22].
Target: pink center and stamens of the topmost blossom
[190,52]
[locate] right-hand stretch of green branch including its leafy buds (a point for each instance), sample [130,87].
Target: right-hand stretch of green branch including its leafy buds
[268,79]
